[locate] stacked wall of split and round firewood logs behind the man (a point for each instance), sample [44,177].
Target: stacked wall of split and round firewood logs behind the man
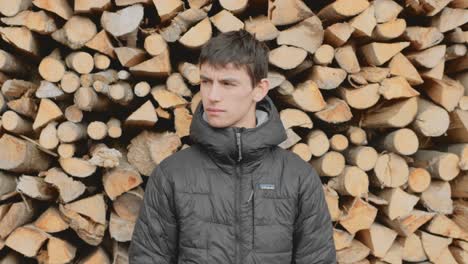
[95,93]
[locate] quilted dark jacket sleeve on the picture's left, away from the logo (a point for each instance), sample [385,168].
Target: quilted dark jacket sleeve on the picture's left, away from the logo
[155,236]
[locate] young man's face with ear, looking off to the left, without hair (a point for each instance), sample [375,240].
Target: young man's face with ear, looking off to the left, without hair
[227,96]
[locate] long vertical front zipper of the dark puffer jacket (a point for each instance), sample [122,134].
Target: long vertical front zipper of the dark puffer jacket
[238,195]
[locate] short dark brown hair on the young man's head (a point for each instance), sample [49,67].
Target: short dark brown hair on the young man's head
[241,49]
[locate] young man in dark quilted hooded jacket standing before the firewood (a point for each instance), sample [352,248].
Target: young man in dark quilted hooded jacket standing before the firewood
[234,196]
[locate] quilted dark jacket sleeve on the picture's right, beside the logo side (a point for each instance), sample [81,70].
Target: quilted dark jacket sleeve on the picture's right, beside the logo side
[313,231]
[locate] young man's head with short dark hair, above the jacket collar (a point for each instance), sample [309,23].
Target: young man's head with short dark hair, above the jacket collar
[233,69]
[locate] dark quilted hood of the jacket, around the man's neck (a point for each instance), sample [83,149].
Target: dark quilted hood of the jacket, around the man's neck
[221,143]
